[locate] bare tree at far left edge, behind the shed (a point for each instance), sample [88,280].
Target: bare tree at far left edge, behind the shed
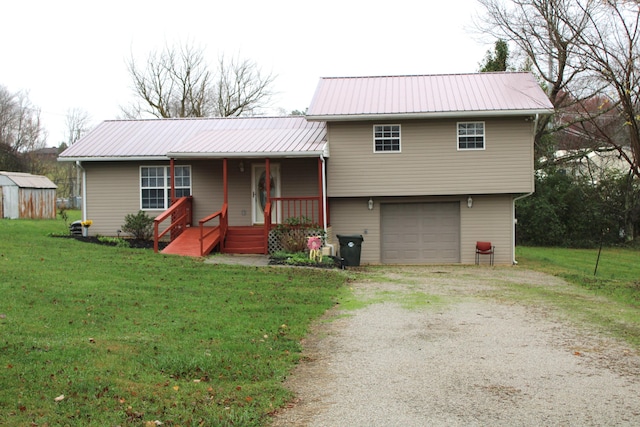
[20,130]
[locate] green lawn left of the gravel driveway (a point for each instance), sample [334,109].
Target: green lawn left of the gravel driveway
[129,336]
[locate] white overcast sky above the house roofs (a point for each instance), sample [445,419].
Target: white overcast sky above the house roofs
[72,53]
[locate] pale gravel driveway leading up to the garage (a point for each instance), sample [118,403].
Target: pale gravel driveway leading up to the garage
[440,346]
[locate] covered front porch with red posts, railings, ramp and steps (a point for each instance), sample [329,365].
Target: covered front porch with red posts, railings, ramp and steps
[240,218]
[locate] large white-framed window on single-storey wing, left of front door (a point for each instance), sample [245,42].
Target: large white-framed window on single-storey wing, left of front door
[155,185]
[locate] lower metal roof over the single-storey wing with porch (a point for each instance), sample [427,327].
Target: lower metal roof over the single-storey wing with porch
[201,137]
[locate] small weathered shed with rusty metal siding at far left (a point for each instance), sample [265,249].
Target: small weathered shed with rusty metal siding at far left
[23,195]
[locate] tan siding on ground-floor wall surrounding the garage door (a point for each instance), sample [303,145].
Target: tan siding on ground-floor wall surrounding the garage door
[490,219]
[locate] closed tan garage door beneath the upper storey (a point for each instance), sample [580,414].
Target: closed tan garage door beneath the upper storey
[421,233]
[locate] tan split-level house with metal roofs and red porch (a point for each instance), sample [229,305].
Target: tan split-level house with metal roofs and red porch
[421,166]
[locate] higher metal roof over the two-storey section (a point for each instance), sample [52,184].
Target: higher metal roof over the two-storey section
[447,95]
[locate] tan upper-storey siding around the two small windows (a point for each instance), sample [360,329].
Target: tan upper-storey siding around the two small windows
[429,161]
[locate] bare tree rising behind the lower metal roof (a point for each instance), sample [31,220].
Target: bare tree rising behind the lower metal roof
[177,82]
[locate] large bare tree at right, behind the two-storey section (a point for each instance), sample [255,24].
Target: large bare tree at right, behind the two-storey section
[583,51]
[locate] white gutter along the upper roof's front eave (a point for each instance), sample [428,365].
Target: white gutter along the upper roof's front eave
[427,115]
